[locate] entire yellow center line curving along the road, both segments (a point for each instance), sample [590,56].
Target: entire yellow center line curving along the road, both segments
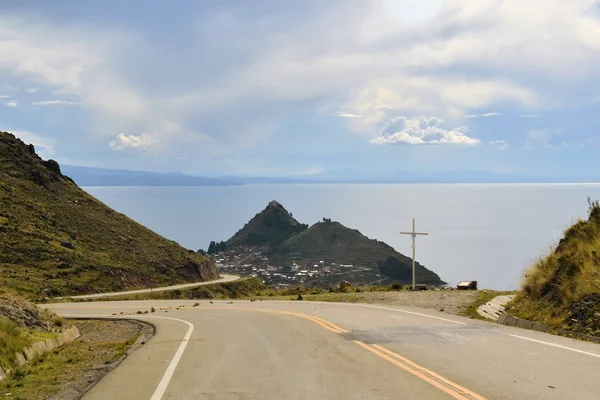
[453,389]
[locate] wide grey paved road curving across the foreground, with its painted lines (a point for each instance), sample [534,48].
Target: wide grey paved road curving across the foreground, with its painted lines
[307,350]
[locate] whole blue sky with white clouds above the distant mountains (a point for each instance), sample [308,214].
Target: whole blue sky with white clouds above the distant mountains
[292,88]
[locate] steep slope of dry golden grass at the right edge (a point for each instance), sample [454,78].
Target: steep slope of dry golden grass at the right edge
[563,288]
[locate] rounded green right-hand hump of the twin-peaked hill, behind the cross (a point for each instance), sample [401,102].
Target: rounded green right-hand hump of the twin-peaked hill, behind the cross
[333,242]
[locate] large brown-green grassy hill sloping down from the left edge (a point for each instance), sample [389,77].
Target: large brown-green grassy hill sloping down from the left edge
[55,239]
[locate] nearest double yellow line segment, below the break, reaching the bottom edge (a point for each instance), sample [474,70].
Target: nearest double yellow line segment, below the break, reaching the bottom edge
[436,380]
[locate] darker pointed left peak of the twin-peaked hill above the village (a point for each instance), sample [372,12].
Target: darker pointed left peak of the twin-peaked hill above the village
[272,226]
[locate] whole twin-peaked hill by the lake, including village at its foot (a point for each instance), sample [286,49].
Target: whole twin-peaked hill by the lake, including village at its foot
[327,252]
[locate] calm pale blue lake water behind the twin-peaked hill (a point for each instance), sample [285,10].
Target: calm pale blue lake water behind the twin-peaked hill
[489,233]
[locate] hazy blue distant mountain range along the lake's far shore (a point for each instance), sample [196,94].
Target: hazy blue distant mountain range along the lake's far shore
[88,176]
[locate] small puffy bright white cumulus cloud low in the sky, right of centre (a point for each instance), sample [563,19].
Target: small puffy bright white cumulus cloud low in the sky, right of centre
[422,130]
